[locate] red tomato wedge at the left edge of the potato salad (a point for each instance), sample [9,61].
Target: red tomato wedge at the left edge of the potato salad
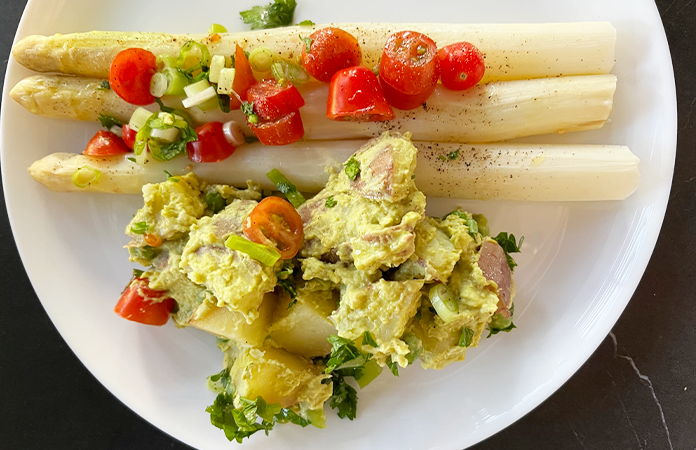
[141,304]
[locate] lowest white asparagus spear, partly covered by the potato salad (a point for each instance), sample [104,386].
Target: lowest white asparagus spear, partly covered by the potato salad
[489,172]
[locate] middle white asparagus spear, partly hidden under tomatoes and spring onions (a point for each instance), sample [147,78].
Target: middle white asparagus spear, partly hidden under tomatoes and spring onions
[484,113]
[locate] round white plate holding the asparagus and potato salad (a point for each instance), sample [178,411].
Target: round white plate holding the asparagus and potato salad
[580,265]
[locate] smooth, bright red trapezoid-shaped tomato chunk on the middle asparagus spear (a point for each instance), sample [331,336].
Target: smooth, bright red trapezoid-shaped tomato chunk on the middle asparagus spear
[354,94]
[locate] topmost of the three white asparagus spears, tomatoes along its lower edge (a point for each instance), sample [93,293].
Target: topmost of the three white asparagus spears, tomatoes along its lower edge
[513,51]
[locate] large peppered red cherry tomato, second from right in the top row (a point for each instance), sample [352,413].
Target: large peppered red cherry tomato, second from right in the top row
[409,62]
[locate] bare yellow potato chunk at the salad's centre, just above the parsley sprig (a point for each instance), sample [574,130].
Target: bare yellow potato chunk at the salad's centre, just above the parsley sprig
[305,327]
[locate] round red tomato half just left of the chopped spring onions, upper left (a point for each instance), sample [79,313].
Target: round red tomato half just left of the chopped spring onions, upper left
[130,75]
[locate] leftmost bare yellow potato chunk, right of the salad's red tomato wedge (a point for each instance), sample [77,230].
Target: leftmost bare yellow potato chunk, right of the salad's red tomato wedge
[224,322]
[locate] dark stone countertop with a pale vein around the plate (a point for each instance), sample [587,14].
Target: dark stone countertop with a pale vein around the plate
[637,390]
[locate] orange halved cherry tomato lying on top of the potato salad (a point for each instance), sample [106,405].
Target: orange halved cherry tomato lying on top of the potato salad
[276,223]
